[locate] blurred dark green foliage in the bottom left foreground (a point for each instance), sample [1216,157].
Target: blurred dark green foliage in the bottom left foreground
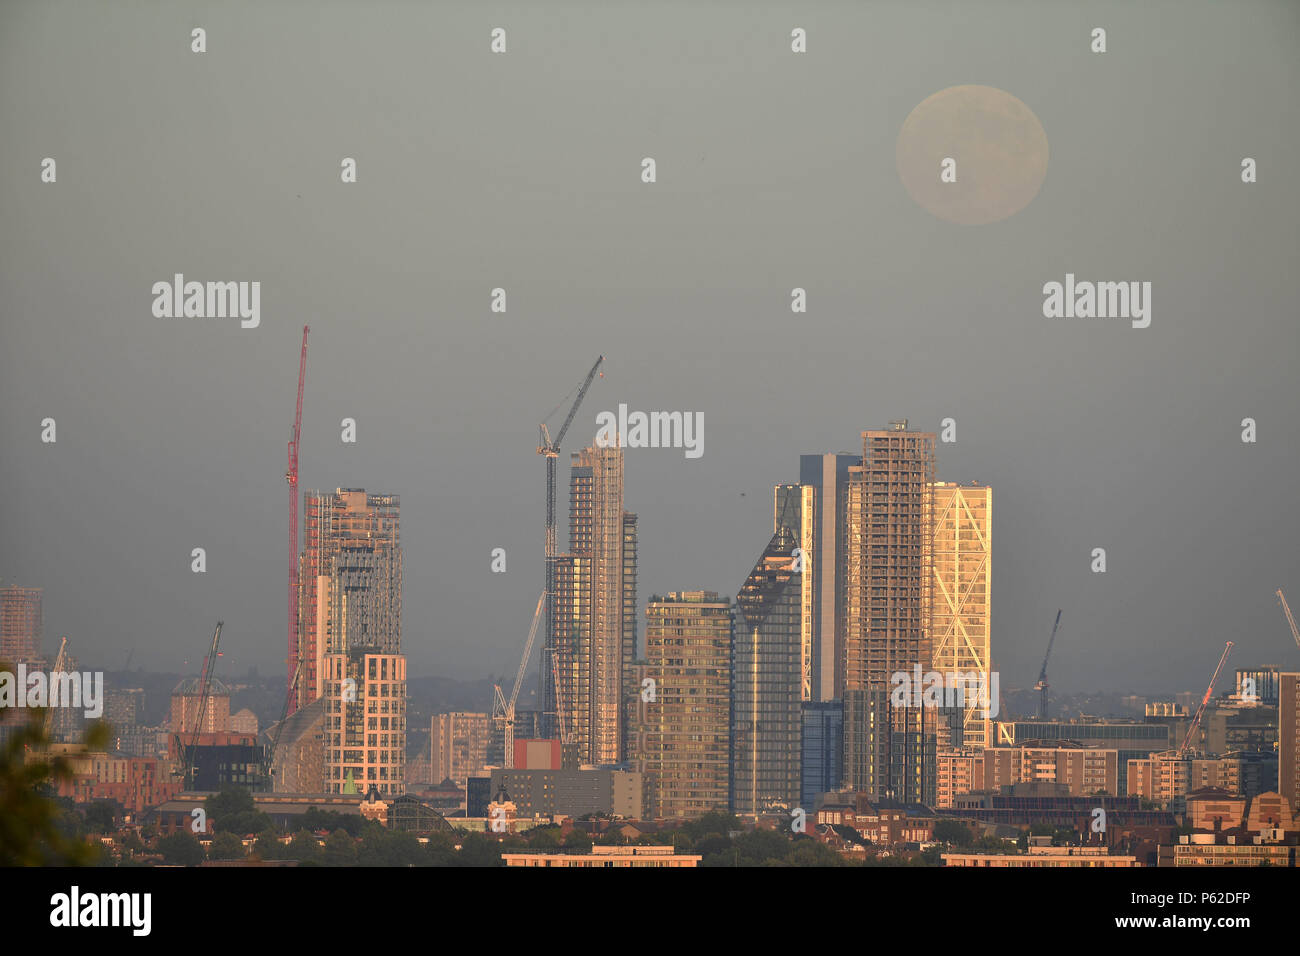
[34,830]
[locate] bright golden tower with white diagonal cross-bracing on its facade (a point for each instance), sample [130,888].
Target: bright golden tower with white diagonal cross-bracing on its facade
[961,596]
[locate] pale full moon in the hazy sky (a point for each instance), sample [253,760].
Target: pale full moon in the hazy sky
[991,145]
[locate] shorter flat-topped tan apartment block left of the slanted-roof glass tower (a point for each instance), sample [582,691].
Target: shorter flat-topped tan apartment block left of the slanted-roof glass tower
[688,716]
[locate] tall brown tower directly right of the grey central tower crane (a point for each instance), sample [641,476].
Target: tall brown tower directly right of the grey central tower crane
[596,582]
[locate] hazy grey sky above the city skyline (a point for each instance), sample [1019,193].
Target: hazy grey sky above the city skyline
[523,171]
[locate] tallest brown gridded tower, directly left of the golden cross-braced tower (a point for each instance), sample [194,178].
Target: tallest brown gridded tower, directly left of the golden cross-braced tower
[889,751]
